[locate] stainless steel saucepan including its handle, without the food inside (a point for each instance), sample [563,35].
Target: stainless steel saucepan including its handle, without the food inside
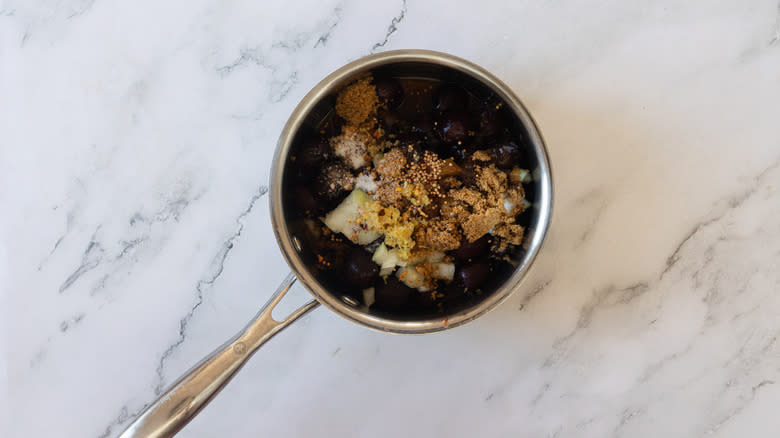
[187,396]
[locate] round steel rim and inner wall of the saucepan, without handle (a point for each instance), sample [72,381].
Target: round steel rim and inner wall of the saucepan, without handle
[408,63]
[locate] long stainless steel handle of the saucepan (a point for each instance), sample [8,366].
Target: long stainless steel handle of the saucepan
[185,398]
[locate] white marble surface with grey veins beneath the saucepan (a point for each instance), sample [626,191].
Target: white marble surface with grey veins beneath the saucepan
[135,140]
